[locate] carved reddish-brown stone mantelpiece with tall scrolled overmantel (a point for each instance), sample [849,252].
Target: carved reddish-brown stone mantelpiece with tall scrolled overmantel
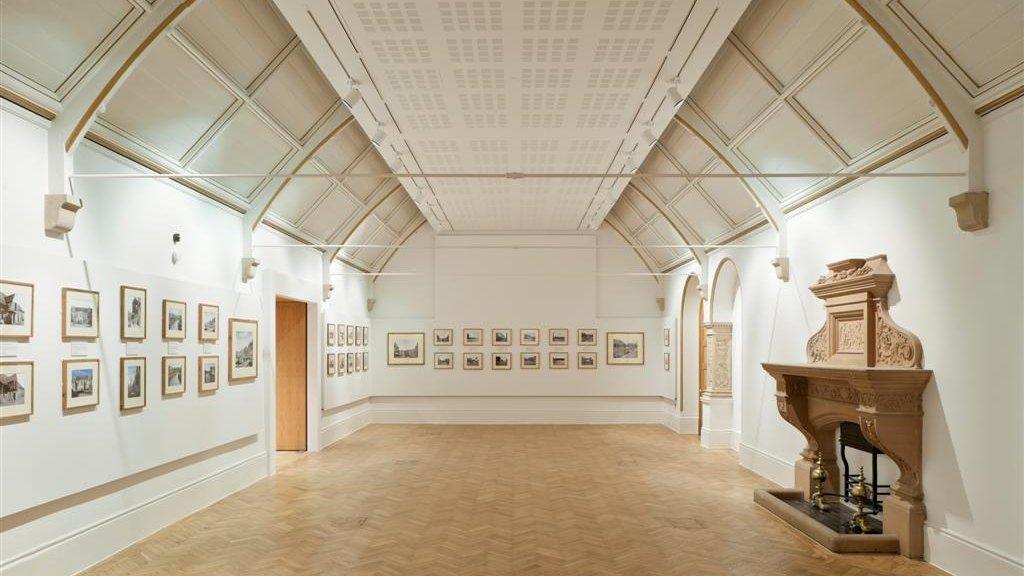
[862,368]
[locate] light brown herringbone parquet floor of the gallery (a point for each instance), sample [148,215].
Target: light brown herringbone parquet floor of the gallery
[498,501]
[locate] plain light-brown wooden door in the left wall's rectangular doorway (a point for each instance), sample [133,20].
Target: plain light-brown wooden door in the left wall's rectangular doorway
[291,326]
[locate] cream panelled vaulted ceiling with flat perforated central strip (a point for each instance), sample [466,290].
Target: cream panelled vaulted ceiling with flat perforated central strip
[493,87]
